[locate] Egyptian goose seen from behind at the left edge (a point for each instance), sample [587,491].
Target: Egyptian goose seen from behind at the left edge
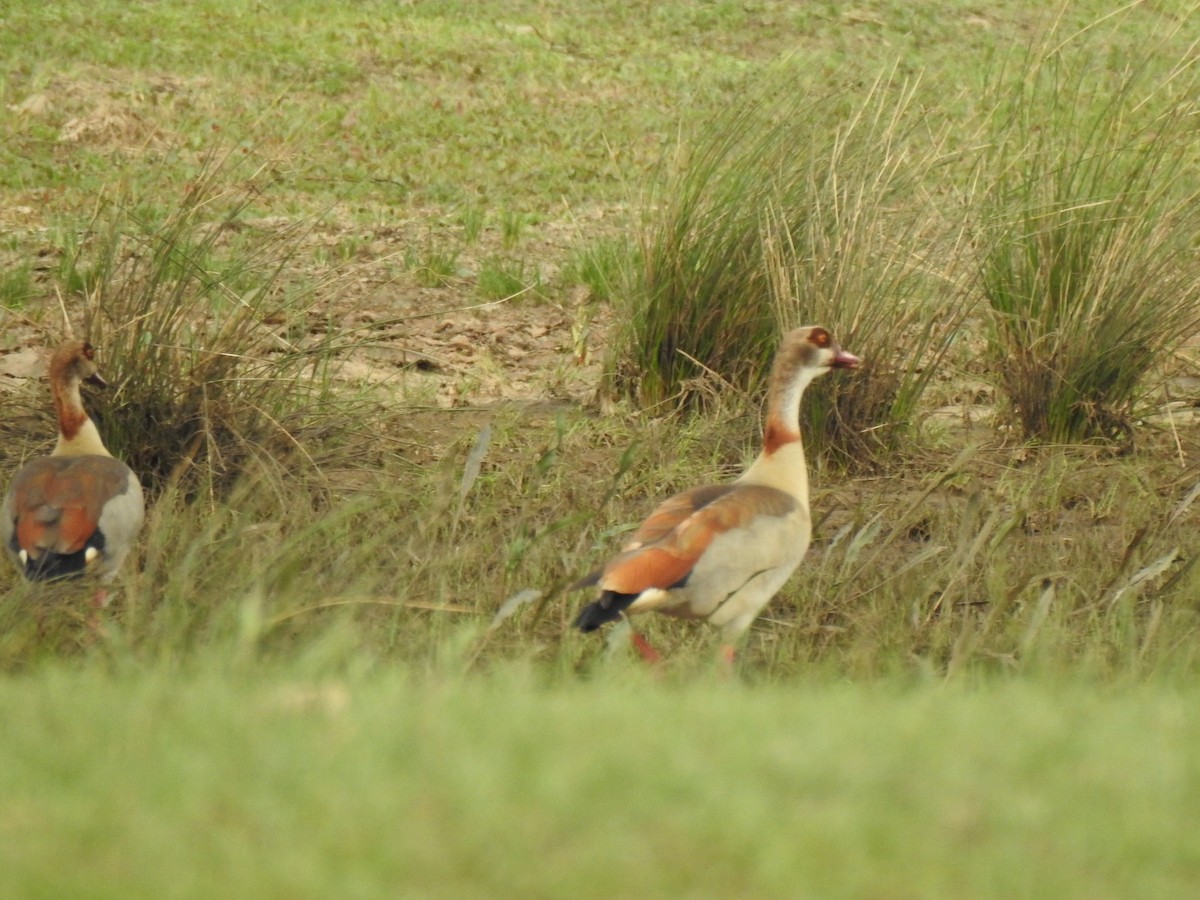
[76,512]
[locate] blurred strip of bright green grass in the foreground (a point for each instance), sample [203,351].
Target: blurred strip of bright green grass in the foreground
[387,783]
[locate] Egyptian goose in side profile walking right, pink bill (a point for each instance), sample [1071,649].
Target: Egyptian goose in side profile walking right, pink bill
[722,553]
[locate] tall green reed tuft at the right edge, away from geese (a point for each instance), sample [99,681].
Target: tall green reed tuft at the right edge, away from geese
[1087,249]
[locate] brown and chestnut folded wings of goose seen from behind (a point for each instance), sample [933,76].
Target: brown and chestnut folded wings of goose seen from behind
[57,501]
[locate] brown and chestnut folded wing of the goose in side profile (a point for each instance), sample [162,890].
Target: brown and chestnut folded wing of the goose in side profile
[663,553]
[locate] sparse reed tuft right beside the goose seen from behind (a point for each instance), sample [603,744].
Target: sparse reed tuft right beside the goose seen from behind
[213,338]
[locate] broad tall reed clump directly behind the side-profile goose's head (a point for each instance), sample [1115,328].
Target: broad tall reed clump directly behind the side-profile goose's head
[793,211]
